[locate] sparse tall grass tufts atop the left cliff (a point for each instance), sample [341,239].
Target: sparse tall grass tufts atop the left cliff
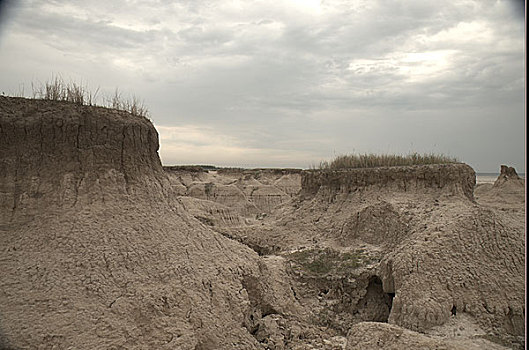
[56,89]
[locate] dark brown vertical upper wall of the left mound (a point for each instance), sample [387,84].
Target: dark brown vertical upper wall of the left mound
[52,152]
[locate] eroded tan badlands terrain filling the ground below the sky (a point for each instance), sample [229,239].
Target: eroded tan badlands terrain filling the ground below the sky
[101,247]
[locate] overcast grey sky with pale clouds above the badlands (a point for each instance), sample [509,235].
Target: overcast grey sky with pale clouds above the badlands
[289,83]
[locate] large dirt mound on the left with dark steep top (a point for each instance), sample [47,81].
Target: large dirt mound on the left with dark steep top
[94,254]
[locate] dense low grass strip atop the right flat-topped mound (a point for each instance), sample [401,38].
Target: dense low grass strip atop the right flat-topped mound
[353,161]
